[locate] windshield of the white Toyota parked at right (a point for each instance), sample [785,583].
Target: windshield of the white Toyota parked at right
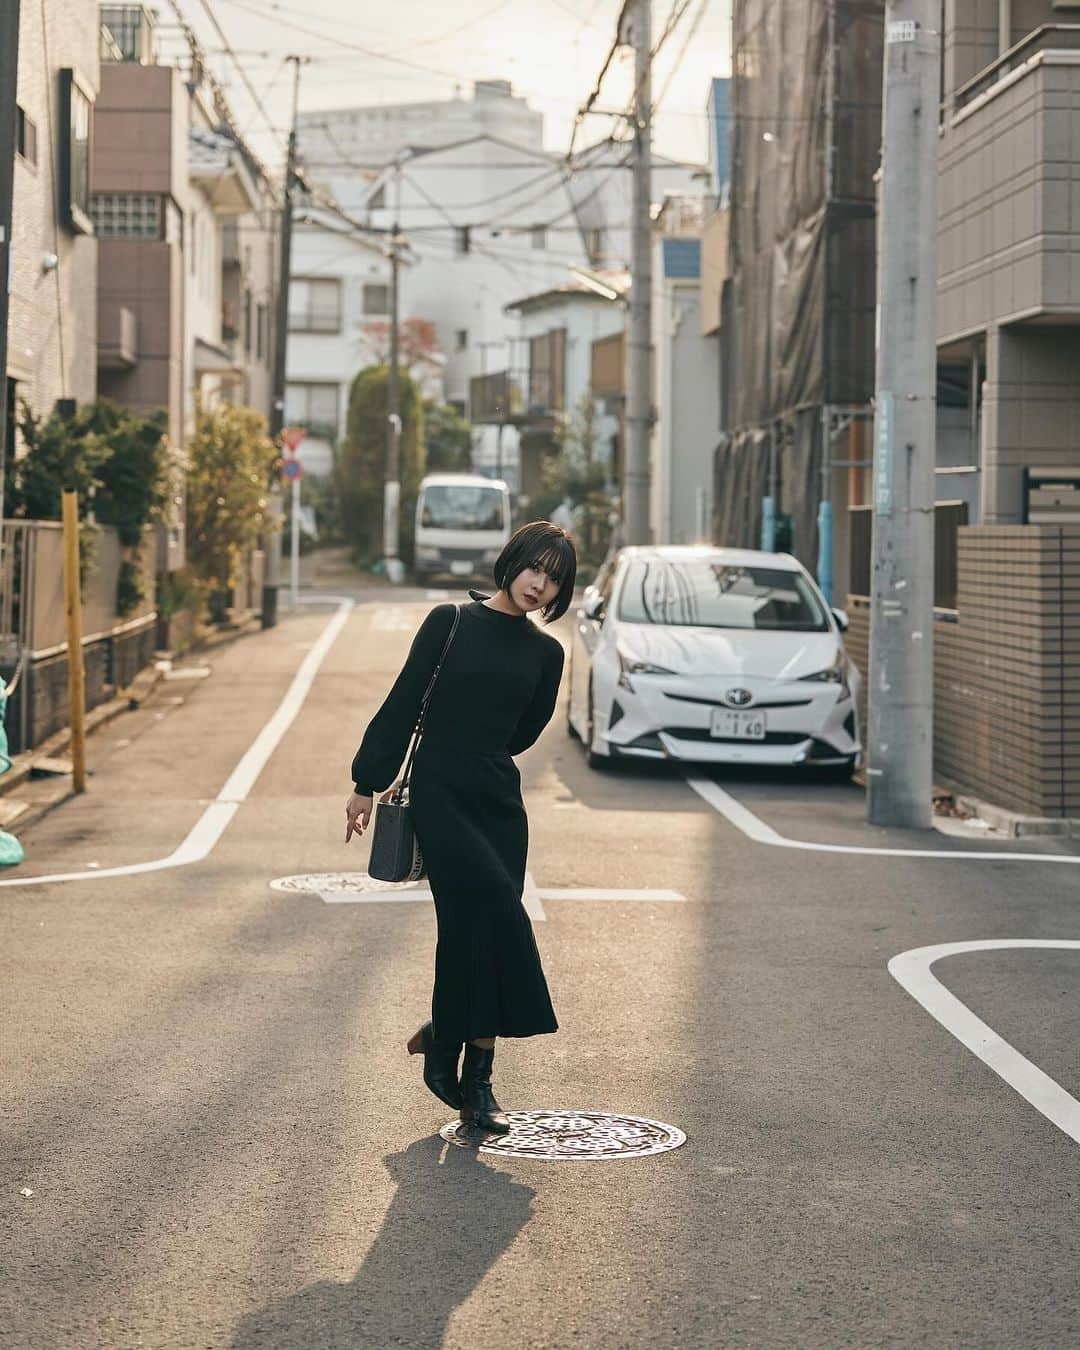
[705,593]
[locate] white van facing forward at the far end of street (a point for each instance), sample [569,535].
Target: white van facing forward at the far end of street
[462,526]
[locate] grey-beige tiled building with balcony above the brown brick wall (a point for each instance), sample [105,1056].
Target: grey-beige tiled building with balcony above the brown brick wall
[1009,259]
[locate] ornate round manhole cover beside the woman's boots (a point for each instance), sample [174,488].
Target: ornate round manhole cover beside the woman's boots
[570,1137]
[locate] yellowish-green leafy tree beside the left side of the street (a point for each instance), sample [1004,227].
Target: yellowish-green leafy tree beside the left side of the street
[230,461]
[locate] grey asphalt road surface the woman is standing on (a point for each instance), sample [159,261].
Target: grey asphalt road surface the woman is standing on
[203,1081]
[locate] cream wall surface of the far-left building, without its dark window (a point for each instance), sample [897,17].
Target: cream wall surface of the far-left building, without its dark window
[53,335]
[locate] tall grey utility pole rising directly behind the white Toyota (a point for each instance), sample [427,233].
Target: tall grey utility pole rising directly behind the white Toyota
[639,398]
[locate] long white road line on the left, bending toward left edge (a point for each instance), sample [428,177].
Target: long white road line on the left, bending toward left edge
[214,823]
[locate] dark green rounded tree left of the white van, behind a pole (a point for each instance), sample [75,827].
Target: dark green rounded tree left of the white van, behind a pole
[362,462]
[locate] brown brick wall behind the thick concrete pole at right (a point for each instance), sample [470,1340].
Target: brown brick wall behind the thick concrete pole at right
[1008,672]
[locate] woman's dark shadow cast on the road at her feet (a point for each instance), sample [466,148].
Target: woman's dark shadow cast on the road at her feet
[446,1226]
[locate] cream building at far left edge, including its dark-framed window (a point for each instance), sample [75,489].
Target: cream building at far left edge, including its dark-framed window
[53,319]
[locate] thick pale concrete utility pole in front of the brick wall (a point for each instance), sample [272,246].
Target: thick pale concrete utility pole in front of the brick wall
[902,614]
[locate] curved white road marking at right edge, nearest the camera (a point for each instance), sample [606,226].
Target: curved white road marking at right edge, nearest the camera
[912,970]
